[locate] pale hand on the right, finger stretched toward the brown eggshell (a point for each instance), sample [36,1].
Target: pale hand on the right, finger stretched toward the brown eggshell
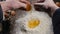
[48,3]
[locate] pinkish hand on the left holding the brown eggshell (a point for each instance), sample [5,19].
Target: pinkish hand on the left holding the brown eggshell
[8,4]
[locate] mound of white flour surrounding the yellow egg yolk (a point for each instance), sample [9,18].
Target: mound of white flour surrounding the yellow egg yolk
[22,18]
